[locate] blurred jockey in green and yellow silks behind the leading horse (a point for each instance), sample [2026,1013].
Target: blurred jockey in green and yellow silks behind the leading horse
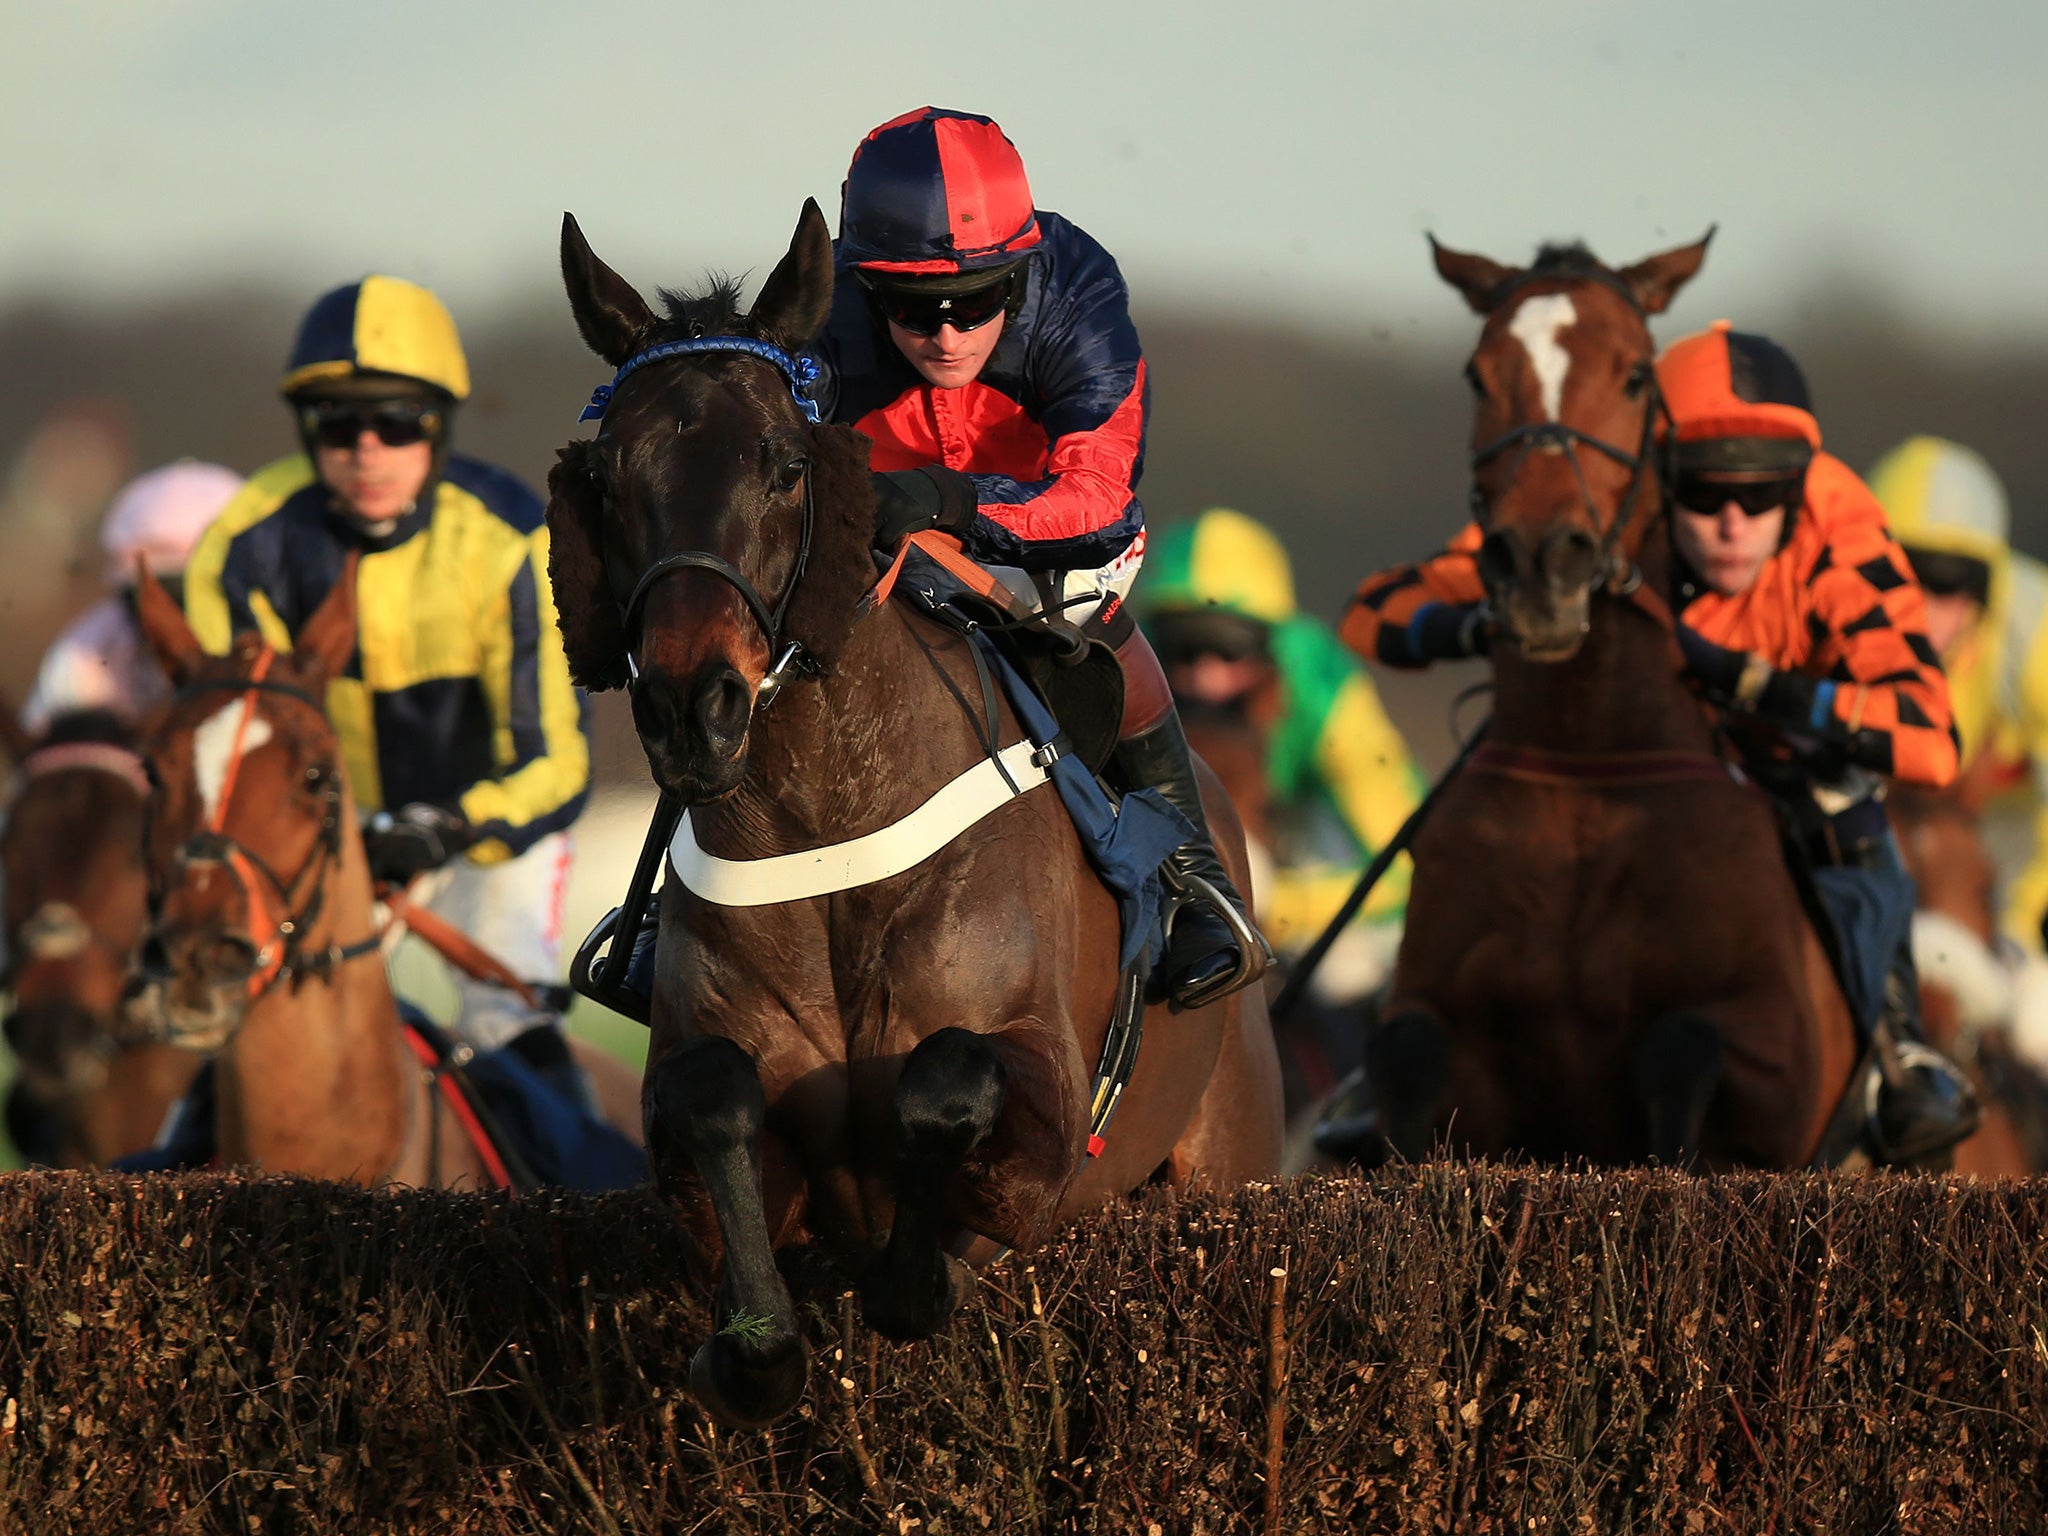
[1220,607]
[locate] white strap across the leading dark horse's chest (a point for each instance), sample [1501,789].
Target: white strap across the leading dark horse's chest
[861,861]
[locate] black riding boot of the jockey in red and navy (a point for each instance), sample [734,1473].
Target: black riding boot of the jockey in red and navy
[1203,953]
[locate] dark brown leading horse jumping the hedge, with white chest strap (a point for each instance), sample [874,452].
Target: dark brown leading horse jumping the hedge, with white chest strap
[902,1068]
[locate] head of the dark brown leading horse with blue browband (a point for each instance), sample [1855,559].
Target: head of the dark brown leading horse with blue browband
[703,542]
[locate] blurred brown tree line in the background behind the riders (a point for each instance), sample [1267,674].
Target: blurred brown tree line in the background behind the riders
[1353,445]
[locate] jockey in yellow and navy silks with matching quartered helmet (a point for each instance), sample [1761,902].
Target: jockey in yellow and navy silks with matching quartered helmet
[458,716]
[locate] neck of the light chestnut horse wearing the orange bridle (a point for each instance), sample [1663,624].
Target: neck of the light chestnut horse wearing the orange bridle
[316,1080]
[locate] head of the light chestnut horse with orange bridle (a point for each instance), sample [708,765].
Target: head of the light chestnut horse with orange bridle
[247,816]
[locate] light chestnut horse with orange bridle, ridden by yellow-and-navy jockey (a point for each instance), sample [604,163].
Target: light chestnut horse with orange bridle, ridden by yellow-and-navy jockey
[265,949]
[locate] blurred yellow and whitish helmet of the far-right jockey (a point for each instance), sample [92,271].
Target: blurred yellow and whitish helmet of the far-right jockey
[1949,509]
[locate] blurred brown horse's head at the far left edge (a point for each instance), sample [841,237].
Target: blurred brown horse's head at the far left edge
[71,867]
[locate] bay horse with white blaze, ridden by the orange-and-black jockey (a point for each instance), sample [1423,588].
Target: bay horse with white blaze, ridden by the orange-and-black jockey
[1607,955]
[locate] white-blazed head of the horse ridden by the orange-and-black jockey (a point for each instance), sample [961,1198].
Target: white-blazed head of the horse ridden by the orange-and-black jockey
[1566,431]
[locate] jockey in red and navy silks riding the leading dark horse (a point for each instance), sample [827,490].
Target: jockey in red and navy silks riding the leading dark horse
[988,351]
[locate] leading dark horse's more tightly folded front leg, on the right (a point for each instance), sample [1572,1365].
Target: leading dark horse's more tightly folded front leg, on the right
[947,1103]
